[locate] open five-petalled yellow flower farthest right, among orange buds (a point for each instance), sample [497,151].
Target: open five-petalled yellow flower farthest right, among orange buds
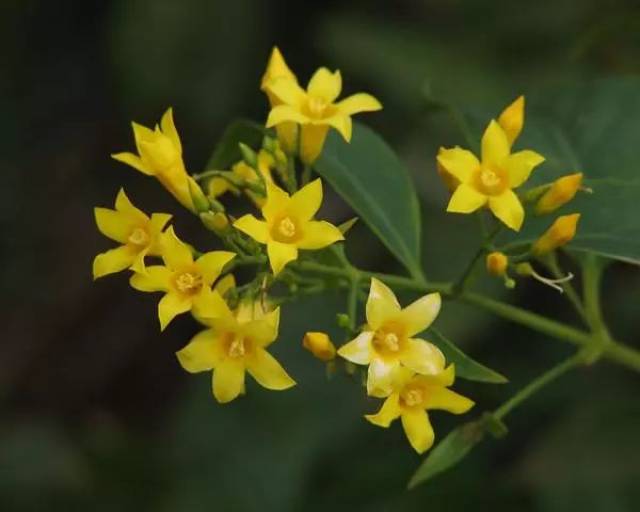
[490,182]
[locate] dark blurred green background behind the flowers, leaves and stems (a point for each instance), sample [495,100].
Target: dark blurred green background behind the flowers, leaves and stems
[96,414]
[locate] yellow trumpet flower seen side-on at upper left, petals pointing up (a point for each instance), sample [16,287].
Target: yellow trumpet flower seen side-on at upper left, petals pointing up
[160,155]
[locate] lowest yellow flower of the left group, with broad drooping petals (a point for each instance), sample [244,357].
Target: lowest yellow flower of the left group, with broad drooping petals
[234,344]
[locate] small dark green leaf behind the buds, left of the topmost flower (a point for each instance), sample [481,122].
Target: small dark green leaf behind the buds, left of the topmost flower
[227,152]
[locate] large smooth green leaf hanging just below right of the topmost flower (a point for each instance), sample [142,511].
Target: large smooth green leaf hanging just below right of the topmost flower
[370,177]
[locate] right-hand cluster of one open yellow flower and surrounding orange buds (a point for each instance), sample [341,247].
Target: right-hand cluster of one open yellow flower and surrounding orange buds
[492,180]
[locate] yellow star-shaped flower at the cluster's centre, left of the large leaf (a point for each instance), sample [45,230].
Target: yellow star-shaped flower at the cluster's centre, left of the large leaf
[289,224]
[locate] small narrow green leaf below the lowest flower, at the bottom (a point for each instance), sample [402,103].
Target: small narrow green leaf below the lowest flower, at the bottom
[448,452]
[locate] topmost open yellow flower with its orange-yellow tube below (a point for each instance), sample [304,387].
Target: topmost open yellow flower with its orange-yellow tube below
[315,109]
